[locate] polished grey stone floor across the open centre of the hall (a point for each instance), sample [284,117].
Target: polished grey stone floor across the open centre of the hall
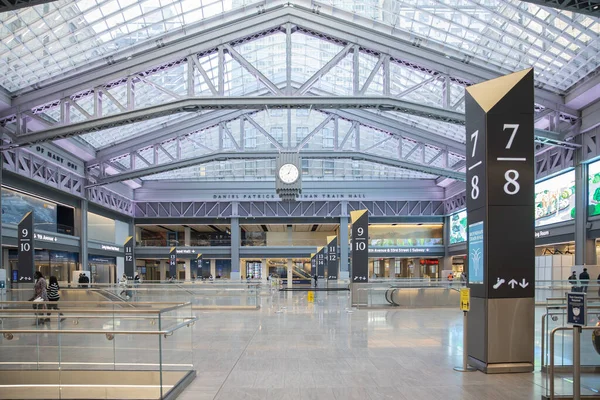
[320,351]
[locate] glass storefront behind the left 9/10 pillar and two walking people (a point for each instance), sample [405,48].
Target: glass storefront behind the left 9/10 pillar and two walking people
[50,262]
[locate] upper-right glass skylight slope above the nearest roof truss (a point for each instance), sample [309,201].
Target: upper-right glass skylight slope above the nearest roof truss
[512,34]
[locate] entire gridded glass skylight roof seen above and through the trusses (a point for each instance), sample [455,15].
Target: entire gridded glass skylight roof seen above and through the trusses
[64,38]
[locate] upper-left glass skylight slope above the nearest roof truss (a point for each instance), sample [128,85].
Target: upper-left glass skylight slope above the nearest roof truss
[50,39]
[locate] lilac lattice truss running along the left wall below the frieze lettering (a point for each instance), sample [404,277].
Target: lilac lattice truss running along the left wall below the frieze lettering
[27,164]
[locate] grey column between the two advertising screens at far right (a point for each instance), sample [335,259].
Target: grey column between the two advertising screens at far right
[585,249]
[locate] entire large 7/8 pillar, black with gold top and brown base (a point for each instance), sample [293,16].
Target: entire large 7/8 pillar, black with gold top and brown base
[500,204]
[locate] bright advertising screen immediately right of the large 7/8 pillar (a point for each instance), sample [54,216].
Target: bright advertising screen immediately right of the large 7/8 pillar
[555,199]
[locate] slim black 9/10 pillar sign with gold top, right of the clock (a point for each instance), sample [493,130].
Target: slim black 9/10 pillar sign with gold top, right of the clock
[360,246]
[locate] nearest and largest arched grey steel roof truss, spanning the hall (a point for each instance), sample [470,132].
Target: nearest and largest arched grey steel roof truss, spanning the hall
[76,98]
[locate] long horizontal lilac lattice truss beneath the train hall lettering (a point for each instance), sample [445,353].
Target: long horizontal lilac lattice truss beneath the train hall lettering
[308,209]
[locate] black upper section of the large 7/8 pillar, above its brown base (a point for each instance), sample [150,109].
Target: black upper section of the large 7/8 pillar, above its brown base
[500,185]
